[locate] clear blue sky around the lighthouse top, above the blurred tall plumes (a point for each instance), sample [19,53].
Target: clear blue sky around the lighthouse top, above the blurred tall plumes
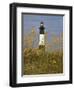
[52,23]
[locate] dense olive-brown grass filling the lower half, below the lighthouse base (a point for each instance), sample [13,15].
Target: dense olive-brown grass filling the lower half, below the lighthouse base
[37,61]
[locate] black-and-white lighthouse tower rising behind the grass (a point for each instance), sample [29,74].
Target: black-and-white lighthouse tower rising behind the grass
[41,36]
